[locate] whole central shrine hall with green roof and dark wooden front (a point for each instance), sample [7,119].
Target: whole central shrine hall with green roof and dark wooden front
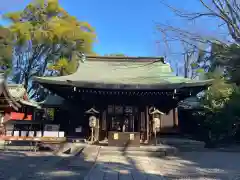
[122,99]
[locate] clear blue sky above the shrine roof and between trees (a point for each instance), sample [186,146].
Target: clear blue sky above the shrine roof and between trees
[124,26]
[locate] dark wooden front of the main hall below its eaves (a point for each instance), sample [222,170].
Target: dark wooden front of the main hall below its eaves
[117,124]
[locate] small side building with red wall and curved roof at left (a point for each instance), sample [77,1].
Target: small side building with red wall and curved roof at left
[16,110]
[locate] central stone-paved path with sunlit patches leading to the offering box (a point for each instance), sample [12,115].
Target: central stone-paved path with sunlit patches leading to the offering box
[124,168]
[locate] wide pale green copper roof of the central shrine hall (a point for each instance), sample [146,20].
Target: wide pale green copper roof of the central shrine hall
[123,73]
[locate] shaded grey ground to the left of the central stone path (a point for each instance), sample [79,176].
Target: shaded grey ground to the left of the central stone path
[46,166]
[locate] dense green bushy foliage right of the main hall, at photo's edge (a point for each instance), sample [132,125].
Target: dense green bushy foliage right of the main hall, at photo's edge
[222,108]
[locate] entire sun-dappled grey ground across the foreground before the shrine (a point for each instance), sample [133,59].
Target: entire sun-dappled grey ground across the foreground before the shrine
[189,165]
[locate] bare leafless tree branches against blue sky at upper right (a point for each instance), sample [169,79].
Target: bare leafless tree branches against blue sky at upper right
[226,12]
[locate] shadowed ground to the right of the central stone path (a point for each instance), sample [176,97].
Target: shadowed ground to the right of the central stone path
[200,165]
